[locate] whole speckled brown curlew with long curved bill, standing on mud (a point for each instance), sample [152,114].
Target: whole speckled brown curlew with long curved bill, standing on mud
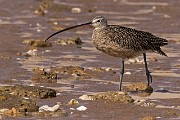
[122,42]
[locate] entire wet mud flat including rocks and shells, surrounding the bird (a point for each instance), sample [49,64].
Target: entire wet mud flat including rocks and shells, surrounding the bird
[67,78]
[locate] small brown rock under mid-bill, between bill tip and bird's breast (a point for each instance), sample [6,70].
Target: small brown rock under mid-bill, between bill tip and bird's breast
[70,41]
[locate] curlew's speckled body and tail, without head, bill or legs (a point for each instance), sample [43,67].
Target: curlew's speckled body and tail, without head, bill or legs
[126,42]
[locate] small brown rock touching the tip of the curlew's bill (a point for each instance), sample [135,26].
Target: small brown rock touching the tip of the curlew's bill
[37,43]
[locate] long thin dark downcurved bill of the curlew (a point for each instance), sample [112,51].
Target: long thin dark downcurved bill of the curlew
[67,29]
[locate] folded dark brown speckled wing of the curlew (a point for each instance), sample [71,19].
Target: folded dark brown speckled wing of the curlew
[136,40]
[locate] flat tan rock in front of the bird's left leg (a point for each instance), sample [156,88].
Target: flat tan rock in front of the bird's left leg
[113,96]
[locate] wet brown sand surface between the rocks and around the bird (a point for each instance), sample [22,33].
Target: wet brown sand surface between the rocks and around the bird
[19,22]
